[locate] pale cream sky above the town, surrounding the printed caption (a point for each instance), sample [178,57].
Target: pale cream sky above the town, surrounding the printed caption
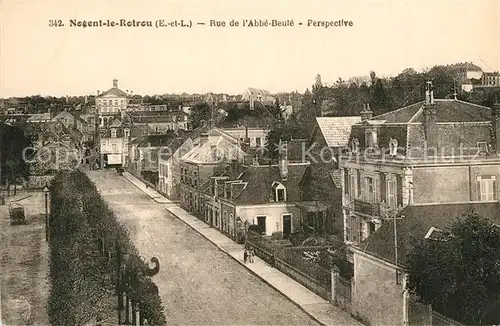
[386,37]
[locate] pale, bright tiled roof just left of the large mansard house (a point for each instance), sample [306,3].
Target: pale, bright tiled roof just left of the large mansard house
[336,130]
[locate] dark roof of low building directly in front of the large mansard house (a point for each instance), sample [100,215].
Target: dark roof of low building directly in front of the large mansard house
[416,223]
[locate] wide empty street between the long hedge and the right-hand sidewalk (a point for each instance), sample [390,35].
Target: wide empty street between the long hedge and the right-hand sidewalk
[199,284]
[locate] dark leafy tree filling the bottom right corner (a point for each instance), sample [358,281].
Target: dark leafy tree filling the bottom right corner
[460,275]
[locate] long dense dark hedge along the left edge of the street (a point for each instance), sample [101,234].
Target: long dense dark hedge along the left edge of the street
[86,245]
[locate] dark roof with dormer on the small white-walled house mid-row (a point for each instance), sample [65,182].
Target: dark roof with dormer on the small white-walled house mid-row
[258,181]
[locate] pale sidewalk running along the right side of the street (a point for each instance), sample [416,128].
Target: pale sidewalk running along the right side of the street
[315,306]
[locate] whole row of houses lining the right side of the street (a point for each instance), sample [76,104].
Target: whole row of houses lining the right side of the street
[375,182]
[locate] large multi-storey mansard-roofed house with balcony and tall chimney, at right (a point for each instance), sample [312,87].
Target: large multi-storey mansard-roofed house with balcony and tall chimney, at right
[436,151]
